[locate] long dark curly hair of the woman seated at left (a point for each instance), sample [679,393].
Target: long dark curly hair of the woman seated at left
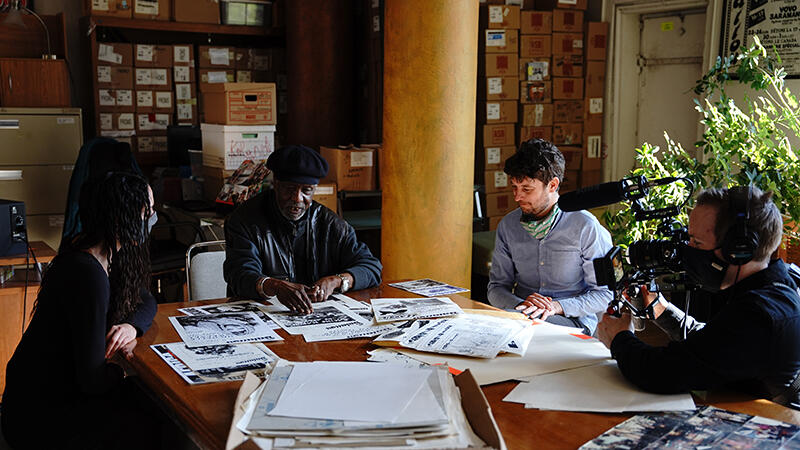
[115,211]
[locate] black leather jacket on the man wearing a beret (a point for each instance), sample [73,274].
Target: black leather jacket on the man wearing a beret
[260,241]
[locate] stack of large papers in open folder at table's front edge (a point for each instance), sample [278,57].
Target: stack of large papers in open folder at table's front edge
[357,404]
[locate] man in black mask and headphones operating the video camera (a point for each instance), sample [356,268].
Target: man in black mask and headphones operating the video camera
[753,343]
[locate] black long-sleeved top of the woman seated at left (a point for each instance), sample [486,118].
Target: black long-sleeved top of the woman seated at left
[61,357]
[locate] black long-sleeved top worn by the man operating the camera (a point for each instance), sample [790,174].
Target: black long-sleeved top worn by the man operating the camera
[752,344]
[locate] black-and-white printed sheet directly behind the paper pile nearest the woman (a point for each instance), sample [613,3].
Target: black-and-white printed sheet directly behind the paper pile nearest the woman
[223,328]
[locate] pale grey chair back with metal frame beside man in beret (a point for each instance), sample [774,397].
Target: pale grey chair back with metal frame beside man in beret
[204,279]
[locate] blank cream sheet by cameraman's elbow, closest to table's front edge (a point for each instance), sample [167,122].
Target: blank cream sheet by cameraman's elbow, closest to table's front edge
[597,388]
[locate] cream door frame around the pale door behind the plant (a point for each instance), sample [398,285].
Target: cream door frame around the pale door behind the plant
[622,70]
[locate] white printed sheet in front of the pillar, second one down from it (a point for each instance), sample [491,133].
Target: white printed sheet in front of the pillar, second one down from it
[394,309]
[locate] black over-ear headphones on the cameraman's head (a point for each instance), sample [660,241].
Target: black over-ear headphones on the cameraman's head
[740,242]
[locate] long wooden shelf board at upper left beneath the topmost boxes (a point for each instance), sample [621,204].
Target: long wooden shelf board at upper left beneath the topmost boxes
[183,27]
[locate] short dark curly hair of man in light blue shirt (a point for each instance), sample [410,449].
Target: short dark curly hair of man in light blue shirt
[537,159]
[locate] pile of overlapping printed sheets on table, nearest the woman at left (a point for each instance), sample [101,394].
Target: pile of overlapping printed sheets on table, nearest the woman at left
[215,363]
